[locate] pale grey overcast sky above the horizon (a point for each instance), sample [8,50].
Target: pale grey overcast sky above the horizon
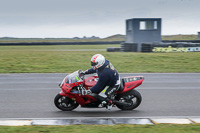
[78,18]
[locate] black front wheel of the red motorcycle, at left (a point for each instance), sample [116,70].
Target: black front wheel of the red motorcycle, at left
[64,103]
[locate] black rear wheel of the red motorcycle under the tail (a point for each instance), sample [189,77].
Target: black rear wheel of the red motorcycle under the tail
[133,97]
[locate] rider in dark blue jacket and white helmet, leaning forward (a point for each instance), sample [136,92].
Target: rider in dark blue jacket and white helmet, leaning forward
[108,81]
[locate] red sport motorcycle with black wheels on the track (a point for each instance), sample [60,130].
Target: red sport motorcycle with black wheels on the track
[126,98]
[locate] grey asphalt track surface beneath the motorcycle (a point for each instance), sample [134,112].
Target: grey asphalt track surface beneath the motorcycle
[32,95]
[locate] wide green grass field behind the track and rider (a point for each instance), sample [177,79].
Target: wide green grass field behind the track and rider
[68,58]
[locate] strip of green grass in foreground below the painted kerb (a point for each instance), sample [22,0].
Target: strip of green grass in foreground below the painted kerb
[162,128]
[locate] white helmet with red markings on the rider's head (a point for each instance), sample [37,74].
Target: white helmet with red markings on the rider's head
[97,61]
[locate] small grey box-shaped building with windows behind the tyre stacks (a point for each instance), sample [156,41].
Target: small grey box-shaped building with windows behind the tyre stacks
[143,30]
